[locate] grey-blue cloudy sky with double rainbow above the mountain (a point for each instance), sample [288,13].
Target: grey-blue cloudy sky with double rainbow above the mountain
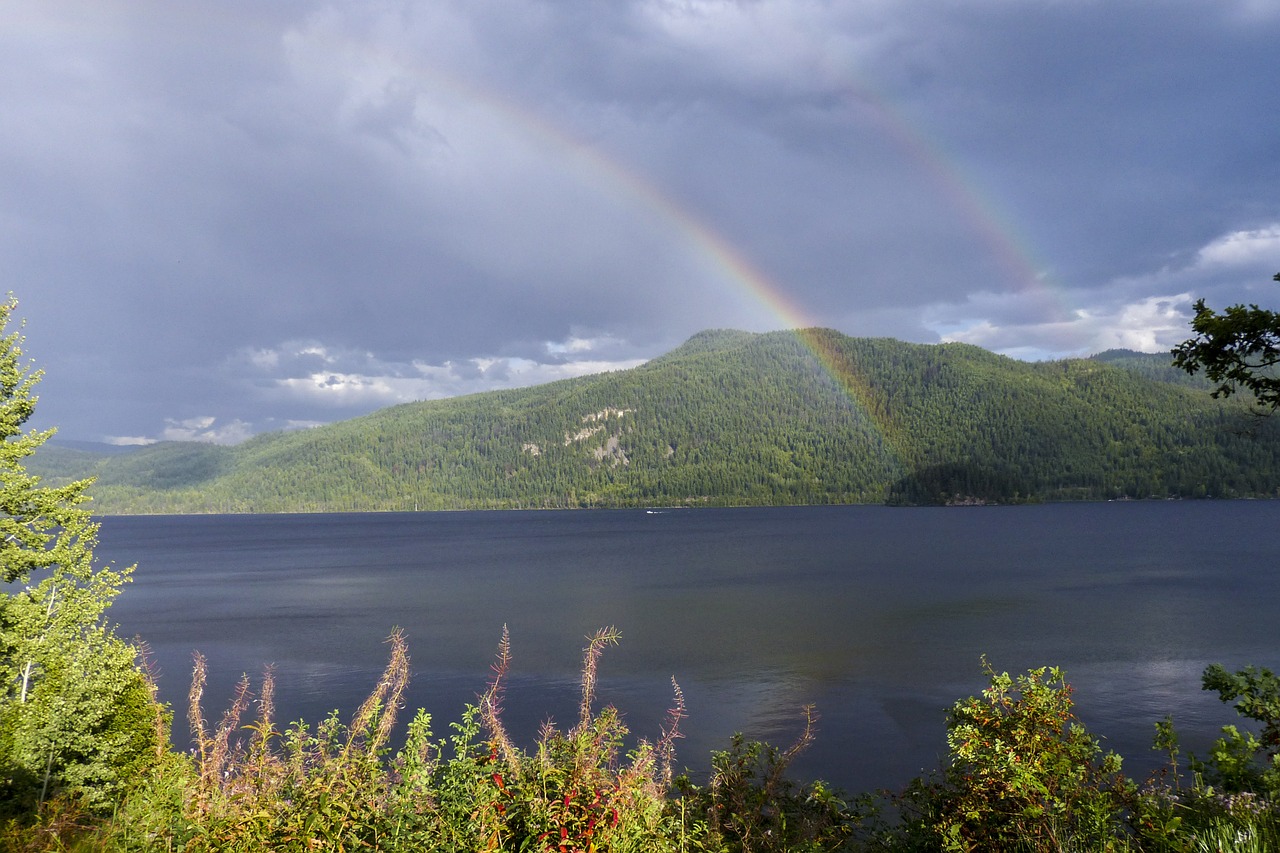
[231,217]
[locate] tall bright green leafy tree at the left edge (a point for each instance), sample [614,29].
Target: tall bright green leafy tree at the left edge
[77,715]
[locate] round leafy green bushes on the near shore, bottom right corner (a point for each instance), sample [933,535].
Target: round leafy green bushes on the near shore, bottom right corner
[1026,776]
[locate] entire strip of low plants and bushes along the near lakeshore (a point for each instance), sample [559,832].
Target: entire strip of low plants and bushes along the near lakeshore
[1023,774]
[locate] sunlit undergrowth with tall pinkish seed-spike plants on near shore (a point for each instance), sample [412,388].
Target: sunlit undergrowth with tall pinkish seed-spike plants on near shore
[340,787]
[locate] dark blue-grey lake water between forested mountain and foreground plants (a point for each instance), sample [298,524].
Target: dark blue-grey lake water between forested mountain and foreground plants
[876,615]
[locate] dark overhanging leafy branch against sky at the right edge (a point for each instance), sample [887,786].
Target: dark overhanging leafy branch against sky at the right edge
[1237,349]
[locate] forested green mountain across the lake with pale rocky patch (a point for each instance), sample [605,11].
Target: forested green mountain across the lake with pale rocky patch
[733,418]
